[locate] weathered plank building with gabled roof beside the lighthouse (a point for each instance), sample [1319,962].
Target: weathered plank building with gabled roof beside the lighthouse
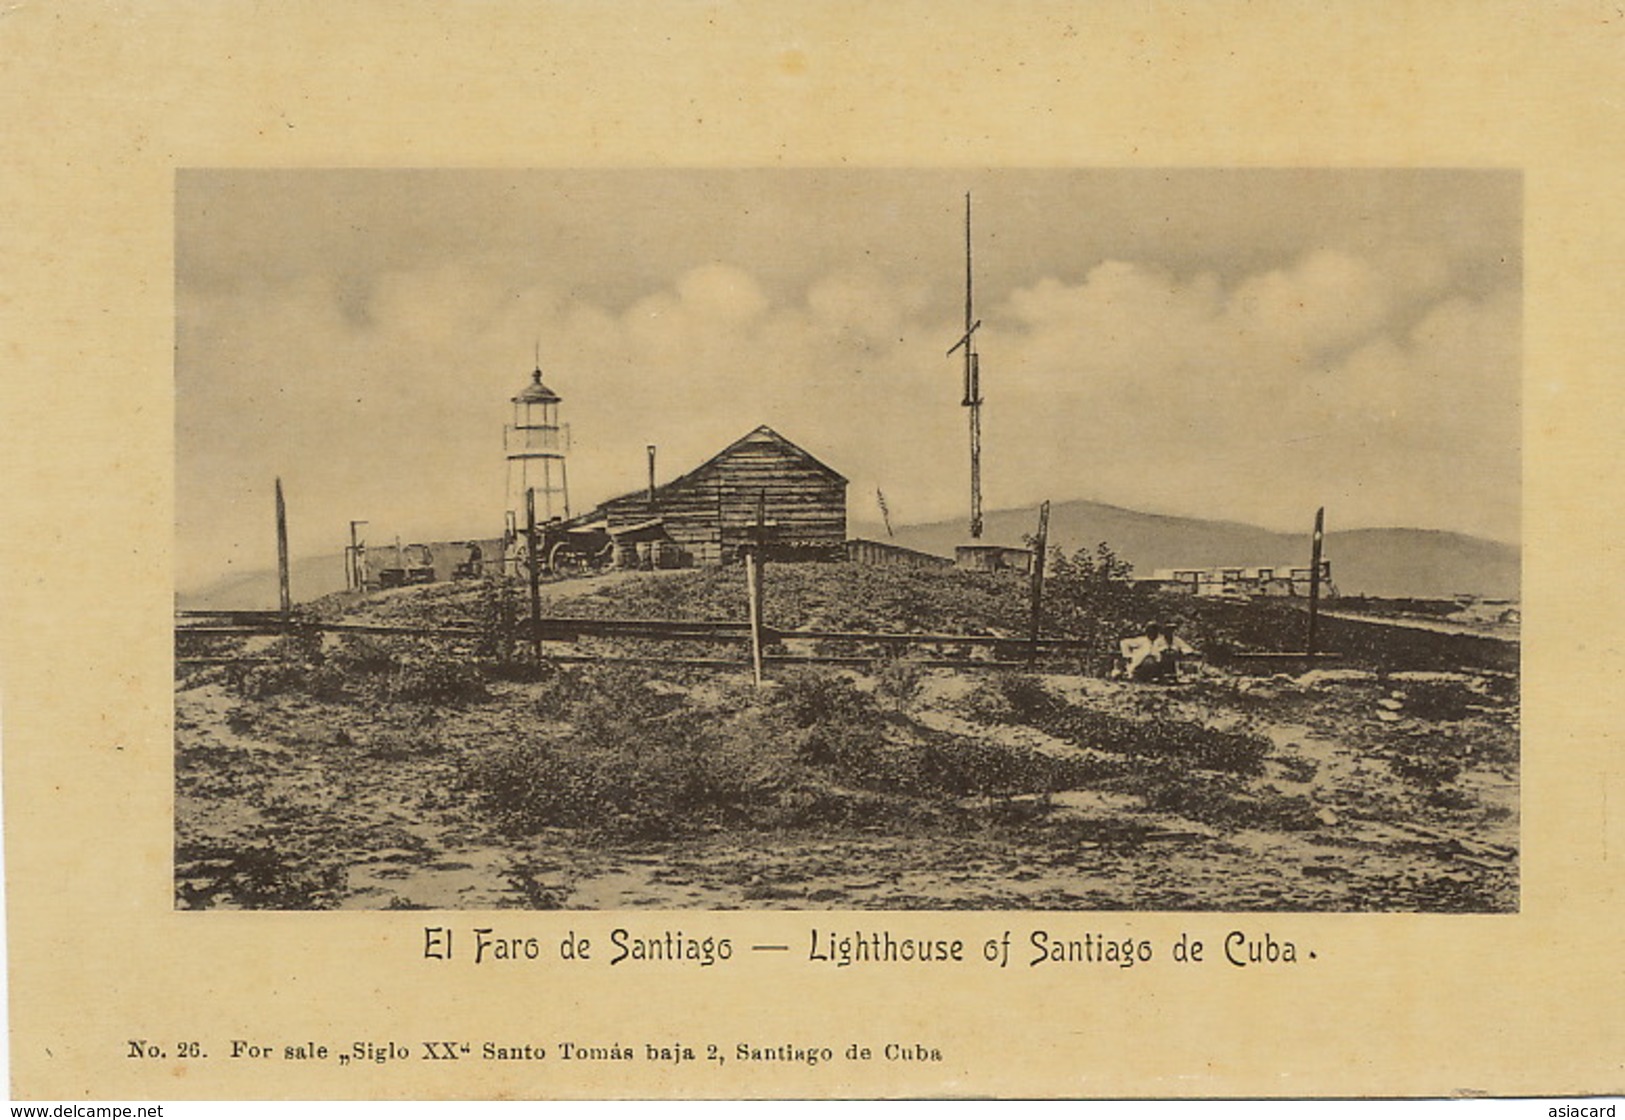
[708,514]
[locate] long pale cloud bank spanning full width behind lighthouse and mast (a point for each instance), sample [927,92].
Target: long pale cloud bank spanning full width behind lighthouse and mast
[1333,378]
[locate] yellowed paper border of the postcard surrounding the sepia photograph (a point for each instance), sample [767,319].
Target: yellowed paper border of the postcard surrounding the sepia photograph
[119,994]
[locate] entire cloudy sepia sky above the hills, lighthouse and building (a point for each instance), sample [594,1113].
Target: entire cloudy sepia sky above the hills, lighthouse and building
[1237,345]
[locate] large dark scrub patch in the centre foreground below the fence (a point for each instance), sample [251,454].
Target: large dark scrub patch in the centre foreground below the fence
[639,758]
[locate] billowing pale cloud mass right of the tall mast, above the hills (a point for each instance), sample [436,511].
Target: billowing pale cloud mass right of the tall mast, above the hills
[1325,381]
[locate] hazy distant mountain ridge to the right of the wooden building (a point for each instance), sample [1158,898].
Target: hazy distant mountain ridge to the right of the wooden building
[1393,563]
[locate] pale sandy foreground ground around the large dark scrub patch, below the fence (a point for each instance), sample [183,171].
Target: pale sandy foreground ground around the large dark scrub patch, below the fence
[1403,796]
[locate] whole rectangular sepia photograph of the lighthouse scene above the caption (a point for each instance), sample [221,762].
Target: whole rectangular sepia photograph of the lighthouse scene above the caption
[974,539]
